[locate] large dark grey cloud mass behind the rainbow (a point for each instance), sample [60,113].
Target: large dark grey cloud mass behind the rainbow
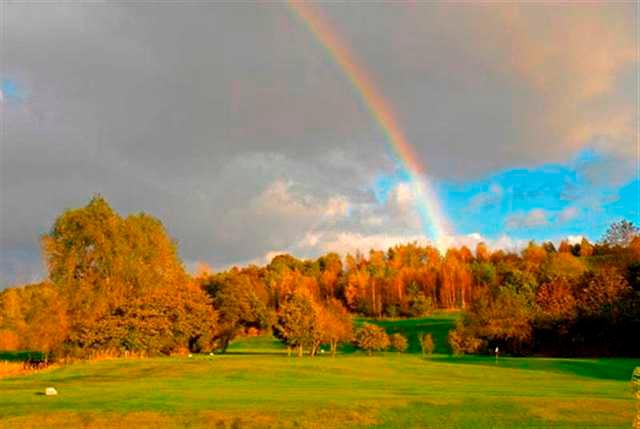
[190,110]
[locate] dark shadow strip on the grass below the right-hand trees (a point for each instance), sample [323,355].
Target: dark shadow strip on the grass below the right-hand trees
[603,368]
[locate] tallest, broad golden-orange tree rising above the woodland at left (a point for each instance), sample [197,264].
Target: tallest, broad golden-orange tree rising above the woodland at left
[122,275]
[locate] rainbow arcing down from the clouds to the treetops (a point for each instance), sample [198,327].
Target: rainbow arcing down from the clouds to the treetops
[434,224]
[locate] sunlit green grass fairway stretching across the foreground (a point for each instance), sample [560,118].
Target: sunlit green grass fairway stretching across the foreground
[257,385]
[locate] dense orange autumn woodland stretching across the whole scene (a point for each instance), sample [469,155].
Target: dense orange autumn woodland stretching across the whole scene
[117,286]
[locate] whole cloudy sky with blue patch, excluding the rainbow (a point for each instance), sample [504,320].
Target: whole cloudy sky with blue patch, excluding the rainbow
[235,125]
